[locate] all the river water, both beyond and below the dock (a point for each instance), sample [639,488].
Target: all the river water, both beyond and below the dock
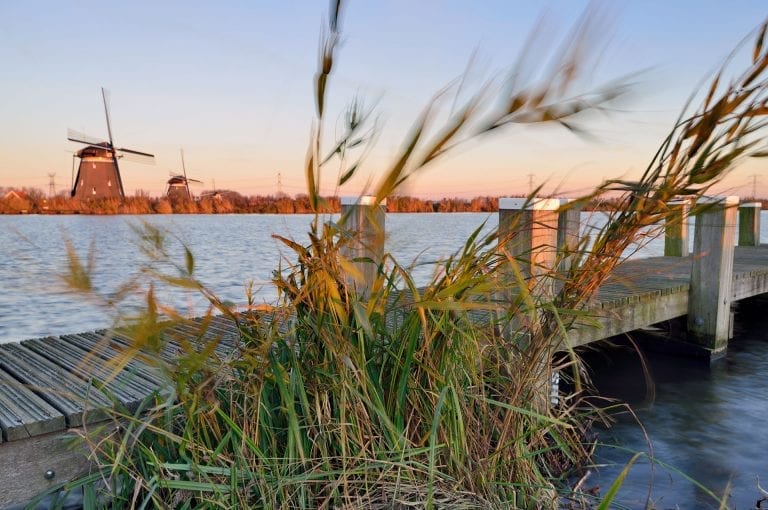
[706,422]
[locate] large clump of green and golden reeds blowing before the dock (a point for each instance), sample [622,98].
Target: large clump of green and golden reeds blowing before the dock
[359,389]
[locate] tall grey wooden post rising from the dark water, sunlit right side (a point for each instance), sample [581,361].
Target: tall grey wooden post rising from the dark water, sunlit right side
[709,301]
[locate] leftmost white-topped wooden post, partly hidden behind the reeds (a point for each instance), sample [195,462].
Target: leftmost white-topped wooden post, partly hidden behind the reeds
[364,221]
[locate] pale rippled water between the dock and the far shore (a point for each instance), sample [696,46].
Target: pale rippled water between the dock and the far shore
[229,251]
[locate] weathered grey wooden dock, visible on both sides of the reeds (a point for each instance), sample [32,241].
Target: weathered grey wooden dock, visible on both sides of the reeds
[49,386]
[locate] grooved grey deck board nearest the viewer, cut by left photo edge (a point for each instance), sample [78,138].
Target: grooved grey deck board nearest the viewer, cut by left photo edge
[23,413]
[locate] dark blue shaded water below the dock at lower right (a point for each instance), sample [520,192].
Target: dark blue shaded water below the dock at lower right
[705,422]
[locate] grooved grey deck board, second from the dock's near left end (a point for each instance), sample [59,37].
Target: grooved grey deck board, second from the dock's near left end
[73,396]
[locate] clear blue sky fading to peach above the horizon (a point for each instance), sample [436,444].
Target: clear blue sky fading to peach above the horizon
[231,83]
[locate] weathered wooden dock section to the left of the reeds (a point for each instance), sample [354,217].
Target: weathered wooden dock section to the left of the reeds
[51,386]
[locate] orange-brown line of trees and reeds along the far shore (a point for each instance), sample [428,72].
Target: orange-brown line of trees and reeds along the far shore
[34,201]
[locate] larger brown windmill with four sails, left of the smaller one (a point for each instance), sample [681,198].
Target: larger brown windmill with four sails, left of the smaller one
[98,175]
